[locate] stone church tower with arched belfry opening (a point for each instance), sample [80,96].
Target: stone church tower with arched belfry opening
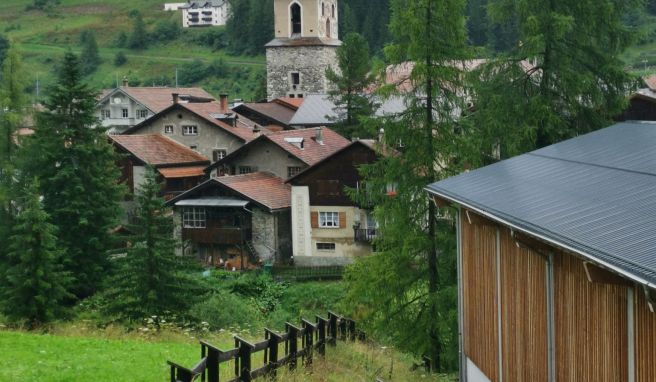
[305,43]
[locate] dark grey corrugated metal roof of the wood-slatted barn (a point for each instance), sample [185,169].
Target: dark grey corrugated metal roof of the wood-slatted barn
[594,194]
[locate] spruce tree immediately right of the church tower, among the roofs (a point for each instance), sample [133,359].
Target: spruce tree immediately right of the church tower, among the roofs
[350,83]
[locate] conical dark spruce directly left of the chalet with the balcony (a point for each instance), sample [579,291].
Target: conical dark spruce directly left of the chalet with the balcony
[151,280]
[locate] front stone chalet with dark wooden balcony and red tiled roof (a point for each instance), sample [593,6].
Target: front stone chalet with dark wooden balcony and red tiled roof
[243,217]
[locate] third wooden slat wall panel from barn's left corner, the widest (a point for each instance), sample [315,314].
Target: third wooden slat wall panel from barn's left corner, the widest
[591,326]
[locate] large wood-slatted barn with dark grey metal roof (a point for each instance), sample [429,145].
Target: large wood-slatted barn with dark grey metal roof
[557,260]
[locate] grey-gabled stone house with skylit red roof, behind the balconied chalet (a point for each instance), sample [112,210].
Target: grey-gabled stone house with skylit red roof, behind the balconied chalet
[283,153]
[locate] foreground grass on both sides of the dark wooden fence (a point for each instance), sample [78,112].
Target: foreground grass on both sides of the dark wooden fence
[101,356]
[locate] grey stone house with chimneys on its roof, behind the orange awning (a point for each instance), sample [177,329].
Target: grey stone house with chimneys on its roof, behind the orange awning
[210,128]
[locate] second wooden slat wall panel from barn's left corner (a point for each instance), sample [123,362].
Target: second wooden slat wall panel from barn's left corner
[523,313]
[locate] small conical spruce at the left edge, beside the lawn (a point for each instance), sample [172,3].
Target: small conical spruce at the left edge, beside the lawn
[33,284]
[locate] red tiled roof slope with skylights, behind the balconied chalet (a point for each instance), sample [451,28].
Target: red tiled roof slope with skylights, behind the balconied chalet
[312,151]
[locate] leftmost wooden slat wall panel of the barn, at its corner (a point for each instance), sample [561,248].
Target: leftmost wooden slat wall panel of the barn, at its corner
[479,296]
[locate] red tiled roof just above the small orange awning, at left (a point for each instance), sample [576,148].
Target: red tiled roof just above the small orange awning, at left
[157,150]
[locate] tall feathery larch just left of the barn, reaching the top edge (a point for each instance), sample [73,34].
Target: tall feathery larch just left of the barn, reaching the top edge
[406,292]
